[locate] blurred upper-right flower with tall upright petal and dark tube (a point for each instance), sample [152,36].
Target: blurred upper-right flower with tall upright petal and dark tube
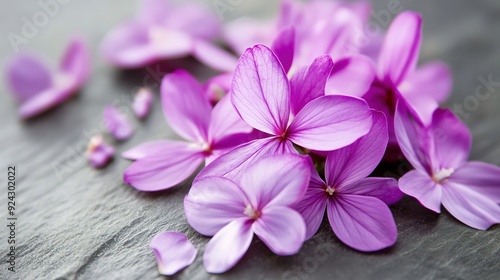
[397,77]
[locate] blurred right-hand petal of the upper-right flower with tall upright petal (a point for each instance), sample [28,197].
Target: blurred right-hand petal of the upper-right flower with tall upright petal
[433,79]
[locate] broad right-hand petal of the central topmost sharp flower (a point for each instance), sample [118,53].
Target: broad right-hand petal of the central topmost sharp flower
[330,122]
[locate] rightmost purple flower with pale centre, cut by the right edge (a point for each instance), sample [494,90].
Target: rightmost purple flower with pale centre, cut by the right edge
[470,191]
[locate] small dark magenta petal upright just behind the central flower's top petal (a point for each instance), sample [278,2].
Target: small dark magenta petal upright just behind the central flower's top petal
[283,47]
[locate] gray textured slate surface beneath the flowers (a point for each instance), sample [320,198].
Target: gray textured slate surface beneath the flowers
[79,223]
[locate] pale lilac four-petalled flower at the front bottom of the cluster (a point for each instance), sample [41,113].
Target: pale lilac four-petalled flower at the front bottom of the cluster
[259,203]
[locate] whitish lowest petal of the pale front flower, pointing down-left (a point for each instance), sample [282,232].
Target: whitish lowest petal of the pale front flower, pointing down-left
[227,247]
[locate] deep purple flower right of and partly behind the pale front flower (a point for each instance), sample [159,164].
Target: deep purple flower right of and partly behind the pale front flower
[356,206]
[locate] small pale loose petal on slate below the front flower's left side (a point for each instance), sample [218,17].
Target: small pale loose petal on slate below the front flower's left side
[173,251]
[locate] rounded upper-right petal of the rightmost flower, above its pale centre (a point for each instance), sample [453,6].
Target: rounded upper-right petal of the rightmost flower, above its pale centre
[452,139]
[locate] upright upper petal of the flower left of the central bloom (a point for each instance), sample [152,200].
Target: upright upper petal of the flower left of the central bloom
[186,108]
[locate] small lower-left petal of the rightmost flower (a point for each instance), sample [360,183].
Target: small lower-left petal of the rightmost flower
[422,187]
